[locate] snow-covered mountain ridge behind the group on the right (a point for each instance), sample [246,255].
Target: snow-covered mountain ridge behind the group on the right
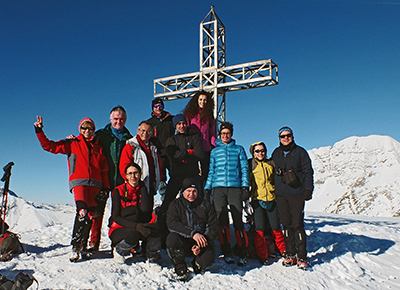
[358,175]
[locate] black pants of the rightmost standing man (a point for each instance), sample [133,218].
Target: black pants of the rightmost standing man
[291,212]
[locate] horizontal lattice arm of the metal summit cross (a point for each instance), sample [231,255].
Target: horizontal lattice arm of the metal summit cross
[231,78]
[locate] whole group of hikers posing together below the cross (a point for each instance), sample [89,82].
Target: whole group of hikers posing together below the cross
[209,178]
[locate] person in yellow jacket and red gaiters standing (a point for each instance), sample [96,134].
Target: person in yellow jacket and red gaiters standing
[261,178]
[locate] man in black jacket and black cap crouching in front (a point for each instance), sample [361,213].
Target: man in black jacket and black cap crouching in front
[193,227]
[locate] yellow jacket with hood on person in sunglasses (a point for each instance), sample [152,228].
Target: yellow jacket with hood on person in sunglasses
[261,177]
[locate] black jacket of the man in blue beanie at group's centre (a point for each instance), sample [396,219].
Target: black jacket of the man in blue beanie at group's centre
[182,163]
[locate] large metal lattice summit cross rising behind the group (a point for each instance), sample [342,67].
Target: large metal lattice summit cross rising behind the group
[214,76]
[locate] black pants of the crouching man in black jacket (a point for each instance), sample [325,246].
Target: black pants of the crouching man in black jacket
[206,257]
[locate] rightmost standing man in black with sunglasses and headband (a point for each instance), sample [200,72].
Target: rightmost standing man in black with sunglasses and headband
[293,186]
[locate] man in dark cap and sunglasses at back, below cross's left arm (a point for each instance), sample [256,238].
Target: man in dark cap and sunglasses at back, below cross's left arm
[163,129]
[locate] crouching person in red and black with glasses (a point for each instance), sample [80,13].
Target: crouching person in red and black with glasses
[131,218]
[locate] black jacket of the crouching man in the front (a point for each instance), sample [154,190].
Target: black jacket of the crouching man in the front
[187,219]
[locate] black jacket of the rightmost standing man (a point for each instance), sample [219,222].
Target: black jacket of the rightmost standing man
[299,161]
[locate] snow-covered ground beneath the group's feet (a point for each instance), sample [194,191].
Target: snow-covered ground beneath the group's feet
[345,252]
